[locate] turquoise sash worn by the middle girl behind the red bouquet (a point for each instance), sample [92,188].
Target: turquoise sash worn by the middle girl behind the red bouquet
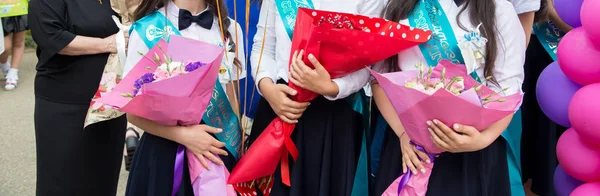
[288,10]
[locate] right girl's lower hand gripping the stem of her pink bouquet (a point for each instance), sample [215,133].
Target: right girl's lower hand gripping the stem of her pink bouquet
[411,157]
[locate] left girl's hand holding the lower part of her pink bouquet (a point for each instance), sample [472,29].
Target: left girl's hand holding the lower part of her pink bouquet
[198,140]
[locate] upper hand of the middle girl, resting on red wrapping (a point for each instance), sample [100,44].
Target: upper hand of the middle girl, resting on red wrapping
[316,80]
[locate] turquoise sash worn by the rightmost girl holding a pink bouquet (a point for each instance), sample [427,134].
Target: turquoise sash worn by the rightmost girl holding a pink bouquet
[443,45]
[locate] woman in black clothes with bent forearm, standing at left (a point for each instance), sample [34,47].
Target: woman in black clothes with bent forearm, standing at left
[74,40]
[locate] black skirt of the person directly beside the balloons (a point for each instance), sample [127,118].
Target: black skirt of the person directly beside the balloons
[540,134]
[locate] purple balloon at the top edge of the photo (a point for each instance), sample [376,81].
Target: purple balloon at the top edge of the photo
[569,10]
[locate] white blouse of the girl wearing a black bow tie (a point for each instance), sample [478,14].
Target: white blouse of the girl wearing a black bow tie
[196,32]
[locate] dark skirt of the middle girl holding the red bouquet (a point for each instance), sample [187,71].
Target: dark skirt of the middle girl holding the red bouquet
[328,137]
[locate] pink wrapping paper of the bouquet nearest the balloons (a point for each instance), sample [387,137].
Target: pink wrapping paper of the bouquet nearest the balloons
[415,107]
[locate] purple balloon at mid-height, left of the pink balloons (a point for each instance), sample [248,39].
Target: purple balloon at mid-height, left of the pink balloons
[554,91]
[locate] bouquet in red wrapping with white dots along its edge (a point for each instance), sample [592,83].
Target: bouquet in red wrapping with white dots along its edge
[343,43]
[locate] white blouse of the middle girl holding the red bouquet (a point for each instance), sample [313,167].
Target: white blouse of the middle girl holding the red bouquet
[276,54]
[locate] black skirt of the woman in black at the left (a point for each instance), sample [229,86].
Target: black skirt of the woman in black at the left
[72,160]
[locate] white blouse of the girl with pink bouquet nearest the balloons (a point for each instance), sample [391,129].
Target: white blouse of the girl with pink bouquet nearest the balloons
[508,69]
